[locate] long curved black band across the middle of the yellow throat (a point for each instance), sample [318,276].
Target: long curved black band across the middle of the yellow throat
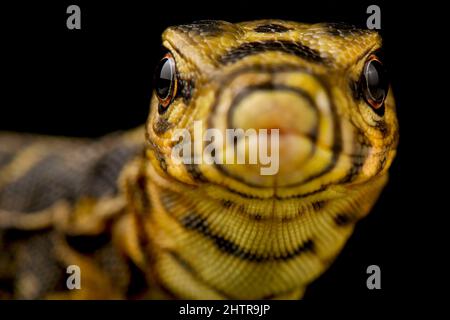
[194,222]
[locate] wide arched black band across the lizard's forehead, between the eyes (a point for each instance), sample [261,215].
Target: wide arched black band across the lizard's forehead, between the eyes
[289,47]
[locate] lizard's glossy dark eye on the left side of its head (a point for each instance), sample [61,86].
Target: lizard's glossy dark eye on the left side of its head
[165,82]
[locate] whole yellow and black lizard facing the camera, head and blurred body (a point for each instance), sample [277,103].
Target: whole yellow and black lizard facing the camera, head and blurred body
[140,225]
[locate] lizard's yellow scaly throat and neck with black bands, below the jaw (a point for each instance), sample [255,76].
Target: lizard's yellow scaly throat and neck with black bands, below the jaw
[203,242]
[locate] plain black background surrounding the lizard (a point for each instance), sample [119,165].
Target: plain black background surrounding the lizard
[98,79]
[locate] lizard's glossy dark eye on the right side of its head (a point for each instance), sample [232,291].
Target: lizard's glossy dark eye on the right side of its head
[375,84]
